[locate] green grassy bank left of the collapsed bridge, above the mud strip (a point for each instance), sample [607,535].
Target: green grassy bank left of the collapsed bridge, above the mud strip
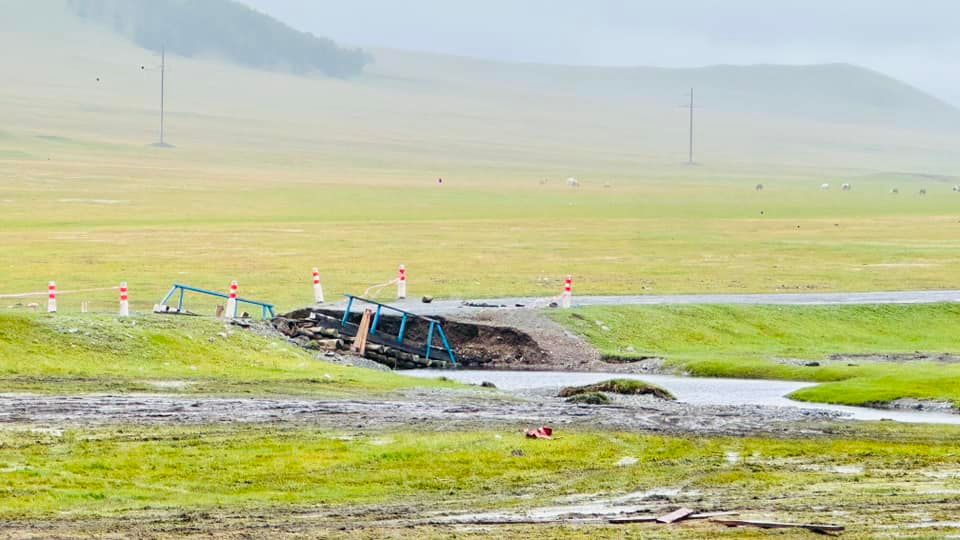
[63,355]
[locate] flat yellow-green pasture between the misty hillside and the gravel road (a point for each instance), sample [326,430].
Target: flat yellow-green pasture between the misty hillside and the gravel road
[91,218]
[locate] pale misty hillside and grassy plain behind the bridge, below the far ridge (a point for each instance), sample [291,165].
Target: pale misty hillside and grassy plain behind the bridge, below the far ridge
[274,175]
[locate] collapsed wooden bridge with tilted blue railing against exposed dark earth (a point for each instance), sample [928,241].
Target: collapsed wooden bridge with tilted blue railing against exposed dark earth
[399,339]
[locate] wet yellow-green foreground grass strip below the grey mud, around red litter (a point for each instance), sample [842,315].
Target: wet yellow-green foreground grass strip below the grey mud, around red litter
[105,472]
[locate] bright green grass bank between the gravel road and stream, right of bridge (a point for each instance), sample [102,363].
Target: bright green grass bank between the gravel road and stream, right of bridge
[766,342]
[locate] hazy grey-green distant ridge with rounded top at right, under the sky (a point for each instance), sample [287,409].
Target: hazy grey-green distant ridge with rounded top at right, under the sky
[836,93]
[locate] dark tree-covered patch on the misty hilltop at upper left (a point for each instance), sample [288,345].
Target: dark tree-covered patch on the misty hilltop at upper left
[225,28]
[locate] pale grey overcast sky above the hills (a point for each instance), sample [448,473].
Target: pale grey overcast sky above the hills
[917,41]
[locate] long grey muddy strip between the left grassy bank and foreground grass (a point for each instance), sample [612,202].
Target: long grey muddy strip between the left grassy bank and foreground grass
[423,409]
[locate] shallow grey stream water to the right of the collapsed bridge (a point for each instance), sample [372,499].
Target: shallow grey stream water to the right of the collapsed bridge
[696,391]
